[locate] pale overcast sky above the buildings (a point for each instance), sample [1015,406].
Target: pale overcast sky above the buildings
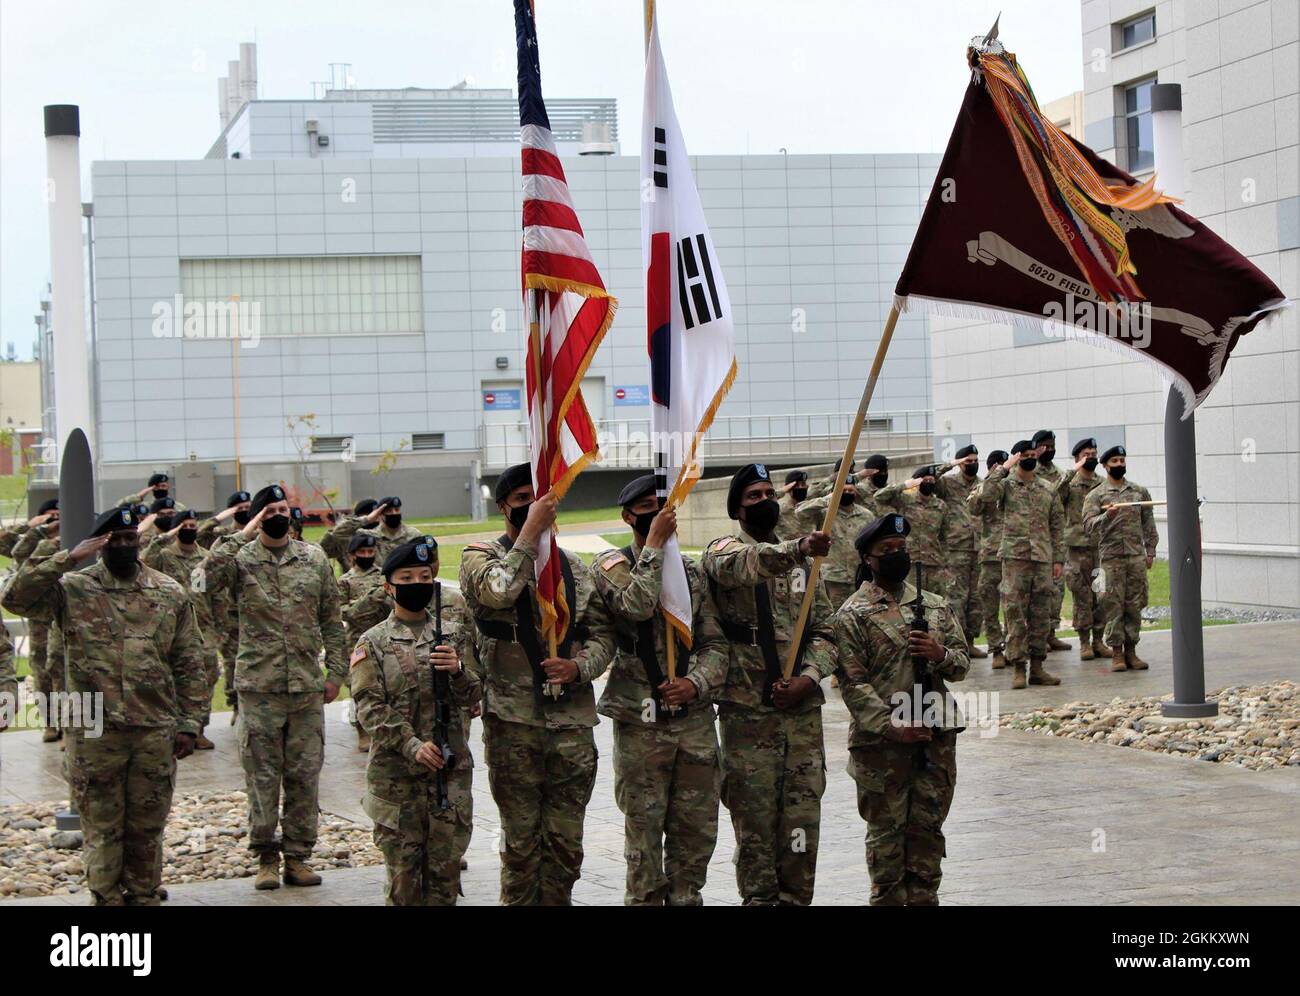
[809,76]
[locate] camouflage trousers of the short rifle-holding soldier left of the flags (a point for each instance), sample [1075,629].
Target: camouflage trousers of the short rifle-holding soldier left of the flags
[421,843]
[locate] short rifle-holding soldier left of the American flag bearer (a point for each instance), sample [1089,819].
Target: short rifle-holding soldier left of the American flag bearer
[397,701]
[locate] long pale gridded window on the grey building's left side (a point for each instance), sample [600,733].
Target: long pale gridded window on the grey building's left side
[314,296]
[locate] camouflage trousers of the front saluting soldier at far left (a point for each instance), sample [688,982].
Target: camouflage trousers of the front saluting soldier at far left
[123,785]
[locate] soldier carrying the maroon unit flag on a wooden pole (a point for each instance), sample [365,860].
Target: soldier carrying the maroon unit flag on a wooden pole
[774,754]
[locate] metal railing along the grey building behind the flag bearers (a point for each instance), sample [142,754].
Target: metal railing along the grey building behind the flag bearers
[627,444]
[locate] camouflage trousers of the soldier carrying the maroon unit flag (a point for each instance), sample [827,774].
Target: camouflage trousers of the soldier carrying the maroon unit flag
[774,776]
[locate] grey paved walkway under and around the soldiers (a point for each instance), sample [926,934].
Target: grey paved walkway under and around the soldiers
[1035,820]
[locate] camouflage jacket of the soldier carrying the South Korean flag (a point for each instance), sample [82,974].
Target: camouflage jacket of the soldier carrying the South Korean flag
[631,594]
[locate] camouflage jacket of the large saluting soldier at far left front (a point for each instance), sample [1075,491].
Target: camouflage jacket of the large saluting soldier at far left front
[135,643]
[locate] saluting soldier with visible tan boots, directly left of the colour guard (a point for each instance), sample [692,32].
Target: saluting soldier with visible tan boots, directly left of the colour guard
[288,604]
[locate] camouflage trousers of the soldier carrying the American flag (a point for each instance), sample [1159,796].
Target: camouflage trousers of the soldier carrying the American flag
[541,781]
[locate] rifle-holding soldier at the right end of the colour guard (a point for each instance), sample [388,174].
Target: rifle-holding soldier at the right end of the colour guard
[904,760]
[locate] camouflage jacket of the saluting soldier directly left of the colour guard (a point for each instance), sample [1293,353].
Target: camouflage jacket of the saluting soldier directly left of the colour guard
[288,610]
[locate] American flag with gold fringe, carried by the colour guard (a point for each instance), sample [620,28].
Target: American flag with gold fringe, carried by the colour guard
[569,311]
